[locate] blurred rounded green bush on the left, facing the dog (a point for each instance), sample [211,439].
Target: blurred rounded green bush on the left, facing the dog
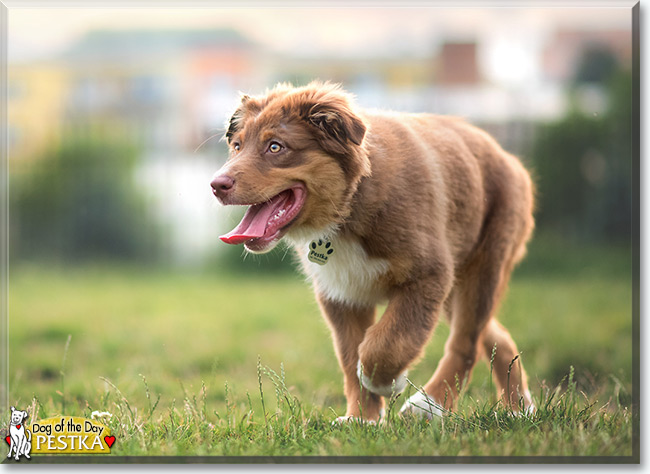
[79,202]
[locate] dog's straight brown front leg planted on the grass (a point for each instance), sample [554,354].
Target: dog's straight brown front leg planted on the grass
[349,324]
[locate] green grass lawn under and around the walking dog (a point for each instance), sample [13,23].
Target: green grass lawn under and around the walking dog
[211,364]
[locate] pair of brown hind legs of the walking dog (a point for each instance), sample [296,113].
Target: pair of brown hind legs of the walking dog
[479,288]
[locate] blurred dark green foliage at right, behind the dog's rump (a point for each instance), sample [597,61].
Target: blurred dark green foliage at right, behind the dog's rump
[583,161]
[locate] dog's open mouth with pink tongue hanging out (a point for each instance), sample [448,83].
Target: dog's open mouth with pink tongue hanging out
[264,222]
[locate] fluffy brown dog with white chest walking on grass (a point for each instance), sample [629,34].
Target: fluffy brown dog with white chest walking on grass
[425,212]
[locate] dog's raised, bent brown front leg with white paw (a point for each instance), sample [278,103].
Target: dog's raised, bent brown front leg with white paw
[398,338]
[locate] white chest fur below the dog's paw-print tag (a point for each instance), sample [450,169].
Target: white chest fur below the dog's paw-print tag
[349,276]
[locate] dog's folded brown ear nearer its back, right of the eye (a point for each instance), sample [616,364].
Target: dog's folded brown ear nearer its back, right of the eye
[338,125]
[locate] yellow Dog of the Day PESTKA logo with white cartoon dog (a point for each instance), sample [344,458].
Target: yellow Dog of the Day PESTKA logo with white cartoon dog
[58,435]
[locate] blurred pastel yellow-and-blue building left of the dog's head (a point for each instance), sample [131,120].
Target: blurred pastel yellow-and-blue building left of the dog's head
[157,88]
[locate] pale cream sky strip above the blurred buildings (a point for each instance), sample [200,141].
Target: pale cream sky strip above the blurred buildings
[35,32]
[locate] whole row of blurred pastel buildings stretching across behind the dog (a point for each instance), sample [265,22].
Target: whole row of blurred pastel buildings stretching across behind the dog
[172,89]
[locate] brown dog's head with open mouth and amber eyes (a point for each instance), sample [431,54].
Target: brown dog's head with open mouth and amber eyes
[296,158]
